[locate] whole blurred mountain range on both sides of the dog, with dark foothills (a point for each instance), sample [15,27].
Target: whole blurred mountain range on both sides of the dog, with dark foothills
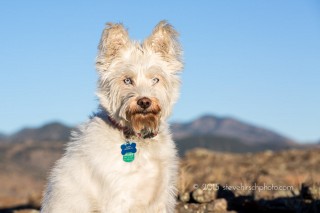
[211,132]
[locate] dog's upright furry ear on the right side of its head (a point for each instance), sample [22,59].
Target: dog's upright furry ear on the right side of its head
[164,41]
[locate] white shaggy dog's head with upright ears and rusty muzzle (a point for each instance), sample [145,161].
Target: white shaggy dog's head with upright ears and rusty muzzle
[138,82]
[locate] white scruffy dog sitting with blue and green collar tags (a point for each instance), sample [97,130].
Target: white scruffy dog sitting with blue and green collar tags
[123,159]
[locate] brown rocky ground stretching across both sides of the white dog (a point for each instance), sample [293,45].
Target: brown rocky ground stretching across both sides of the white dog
[208,181]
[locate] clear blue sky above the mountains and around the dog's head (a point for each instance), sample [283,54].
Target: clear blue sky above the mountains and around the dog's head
[258,61]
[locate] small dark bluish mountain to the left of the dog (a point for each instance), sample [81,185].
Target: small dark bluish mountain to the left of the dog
[54,131]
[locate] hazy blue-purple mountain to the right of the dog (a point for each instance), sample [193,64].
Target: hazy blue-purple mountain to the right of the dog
[209,125]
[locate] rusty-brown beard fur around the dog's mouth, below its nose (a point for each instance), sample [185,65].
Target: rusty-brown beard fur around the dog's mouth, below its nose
[144,123]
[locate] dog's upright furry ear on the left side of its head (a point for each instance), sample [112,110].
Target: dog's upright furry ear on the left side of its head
[114,38]
